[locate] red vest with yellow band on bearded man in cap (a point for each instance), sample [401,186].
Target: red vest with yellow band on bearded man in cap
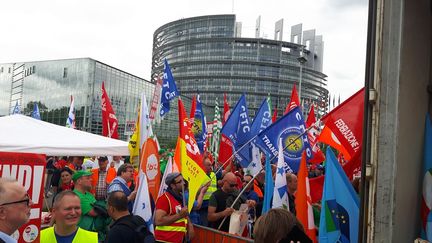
[177,230]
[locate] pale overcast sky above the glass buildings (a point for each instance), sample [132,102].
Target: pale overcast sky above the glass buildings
[120,33]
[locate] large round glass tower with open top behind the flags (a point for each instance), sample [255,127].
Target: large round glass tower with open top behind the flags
[208,56]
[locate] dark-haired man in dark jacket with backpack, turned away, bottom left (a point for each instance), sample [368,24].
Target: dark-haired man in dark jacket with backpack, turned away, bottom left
[126,228]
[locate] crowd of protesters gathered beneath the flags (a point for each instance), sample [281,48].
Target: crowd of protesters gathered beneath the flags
[93,198]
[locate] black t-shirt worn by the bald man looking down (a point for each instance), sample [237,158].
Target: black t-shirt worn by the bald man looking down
[222,200]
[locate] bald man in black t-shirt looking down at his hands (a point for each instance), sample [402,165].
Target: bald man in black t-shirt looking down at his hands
[221,201]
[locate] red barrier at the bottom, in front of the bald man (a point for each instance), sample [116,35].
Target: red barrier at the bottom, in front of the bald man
[209,235]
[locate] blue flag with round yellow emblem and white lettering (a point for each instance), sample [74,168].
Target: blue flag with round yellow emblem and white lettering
[289,128]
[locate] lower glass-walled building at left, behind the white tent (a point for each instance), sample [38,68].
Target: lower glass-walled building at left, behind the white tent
[51,84]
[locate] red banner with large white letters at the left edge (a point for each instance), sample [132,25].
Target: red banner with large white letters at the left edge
[29,170]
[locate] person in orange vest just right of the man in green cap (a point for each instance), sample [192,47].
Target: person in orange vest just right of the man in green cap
[101,178]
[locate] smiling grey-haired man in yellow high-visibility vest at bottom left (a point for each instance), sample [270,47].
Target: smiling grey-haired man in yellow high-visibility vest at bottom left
[66,214]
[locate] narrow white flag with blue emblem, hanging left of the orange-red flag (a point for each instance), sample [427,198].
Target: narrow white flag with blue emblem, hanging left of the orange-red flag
[280,193]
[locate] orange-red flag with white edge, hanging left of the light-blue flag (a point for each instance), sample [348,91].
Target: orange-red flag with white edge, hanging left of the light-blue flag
[303,201]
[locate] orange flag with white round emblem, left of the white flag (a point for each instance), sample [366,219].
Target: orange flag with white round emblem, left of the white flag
[150,165]
